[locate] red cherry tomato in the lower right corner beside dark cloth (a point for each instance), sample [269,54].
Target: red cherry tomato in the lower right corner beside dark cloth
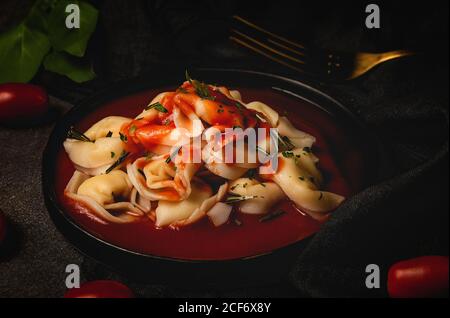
[420,277]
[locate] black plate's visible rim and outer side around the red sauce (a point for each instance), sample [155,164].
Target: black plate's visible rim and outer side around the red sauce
[265,268]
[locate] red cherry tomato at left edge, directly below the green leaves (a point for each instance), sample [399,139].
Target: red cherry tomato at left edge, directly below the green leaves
[21,101]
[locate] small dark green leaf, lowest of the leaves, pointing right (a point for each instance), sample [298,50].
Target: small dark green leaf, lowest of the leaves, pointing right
[74,68]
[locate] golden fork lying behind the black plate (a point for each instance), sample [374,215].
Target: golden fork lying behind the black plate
[296,56]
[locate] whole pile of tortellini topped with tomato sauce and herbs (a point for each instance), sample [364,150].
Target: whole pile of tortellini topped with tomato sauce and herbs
[132,168]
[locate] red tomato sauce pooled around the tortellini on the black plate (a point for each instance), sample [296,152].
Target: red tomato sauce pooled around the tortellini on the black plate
[341,161]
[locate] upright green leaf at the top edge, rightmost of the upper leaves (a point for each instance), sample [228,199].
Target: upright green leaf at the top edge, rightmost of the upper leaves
[73,41]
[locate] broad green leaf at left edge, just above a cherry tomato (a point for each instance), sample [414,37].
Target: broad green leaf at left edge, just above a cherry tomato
[21,52]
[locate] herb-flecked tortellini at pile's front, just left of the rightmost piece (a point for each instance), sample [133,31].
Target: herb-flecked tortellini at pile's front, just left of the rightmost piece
[266,195]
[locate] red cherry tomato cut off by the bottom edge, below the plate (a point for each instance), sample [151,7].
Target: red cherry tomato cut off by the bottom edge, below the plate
[100,289]
